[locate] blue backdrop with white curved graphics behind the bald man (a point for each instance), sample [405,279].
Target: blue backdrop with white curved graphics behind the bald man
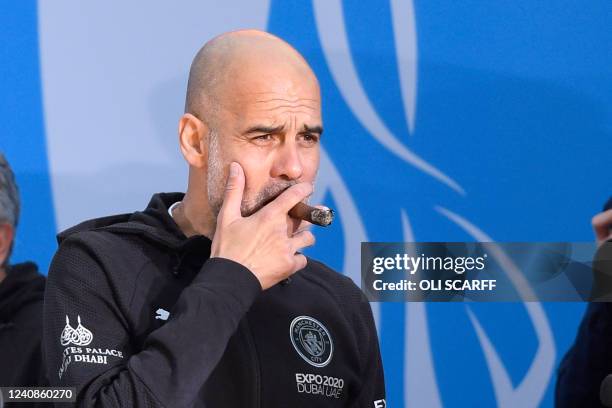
[445,121]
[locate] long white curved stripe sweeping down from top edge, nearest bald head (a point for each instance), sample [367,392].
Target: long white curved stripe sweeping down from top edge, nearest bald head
[335,46]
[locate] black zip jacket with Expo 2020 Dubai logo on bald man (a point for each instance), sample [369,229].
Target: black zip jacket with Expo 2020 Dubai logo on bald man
[136,314]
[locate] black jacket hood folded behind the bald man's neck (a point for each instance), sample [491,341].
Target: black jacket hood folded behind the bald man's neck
[153,224]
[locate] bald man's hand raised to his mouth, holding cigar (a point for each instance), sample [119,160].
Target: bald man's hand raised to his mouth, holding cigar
[261,242]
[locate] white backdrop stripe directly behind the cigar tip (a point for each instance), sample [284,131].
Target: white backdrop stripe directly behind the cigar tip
[330,180]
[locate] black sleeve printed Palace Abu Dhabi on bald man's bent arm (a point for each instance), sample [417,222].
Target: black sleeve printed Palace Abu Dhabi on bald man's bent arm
[88,344]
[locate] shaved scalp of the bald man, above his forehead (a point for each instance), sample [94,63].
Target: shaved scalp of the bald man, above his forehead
[235,61]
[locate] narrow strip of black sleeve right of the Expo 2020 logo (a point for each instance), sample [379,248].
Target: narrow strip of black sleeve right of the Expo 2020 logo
[372,392]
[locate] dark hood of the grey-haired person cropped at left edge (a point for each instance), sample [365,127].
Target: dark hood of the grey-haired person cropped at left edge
[23,285]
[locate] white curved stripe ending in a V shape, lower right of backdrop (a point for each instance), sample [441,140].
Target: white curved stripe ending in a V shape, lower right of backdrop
[532,388]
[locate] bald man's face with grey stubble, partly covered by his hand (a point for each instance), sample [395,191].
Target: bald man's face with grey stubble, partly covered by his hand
[271,125]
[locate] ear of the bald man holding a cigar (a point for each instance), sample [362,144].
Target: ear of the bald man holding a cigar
[193,140]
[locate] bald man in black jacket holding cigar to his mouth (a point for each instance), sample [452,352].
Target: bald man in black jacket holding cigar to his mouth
[204,299]
